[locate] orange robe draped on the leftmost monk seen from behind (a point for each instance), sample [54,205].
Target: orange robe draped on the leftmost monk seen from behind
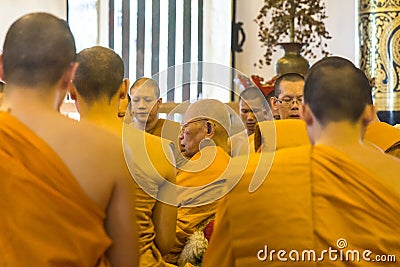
[47,219]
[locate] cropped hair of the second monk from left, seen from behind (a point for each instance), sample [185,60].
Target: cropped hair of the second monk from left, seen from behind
[100,73]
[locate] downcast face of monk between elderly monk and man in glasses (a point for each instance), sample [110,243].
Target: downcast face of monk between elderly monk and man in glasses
[251,111]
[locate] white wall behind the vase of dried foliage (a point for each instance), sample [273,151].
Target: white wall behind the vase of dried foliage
[342,16]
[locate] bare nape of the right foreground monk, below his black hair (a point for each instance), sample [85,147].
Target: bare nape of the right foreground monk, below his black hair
[341,135]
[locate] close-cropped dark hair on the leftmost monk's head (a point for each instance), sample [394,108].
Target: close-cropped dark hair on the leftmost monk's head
[38,48]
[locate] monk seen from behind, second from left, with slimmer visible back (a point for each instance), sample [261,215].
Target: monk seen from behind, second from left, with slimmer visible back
[99,88]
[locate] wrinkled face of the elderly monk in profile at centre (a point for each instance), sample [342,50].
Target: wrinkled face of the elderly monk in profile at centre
[190,136]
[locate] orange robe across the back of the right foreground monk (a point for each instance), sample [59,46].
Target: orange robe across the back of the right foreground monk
[312,198]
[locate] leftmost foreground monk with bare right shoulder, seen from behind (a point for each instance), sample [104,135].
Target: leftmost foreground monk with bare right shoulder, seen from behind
[63,201]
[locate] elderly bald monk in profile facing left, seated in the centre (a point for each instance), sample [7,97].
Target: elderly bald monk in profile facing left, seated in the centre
[204,138]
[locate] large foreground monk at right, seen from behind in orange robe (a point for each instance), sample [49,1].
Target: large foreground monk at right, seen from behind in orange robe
[320,204]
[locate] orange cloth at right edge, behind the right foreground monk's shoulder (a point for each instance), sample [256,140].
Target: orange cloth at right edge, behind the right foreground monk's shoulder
[383,135]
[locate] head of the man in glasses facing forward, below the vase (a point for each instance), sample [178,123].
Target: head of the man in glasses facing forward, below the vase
[288,95]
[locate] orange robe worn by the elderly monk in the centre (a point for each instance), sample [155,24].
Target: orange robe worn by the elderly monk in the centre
[191,217]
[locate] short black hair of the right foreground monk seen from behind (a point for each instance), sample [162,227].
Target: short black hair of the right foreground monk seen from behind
[336,90]
